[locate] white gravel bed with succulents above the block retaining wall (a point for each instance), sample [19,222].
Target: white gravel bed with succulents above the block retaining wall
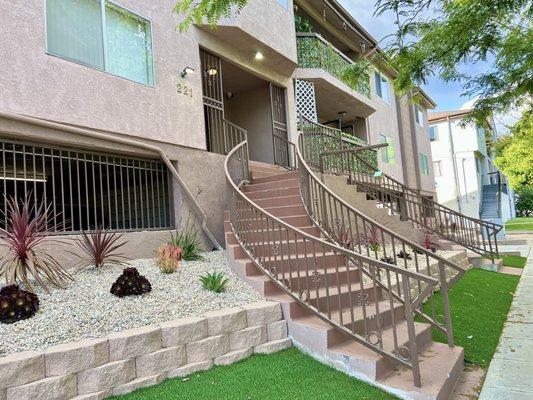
[86,308]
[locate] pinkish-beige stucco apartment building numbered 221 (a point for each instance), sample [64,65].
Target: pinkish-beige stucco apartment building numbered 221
[113,118]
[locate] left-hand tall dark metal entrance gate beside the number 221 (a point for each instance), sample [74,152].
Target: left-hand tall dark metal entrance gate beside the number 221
[213,99]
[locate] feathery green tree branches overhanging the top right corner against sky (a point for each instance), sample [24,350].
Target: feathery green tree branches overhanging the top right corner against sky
[437,37]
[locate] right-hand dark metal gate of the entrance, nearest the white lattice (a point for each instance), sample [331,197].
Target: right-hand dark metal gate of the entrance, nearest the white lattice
[279,126]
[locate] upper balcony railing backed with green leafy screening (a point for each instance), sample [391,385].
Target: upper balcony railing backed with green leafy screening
[315,52]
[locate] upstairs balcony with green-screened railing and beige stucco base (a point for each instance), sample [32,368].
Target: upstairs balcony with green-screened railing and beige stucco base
[323,64]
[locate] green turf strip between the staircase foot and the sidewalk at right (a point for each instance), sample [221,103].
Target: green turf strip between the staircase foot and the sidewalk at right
[479,303]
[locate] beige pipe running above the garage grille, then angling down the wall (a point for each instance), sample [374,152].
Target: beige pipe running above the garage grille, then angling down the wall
[129,142]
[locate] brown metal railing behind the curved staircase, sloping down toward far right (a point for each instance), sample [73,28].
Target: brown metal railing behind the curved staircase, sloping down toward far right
[474,234]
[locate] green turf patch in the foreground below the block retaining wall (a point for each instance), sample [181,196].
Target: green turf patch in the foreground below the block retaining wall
[289,375]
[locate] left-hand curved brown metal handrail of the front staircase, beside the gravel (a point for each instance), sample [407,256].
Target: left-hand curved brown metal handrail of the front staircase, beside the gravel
[296,262]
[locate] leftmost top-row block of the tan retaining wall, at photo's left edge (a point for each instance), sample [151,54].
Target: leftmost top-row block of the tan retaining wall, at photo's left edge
[21,368]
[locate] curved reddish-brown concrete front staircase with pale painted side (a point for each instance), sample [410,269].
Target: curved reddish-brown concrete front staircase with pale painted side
[277,191]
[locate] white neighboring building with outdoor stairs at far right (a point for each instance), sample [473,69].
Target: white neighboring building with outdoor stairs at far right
[465,175]
